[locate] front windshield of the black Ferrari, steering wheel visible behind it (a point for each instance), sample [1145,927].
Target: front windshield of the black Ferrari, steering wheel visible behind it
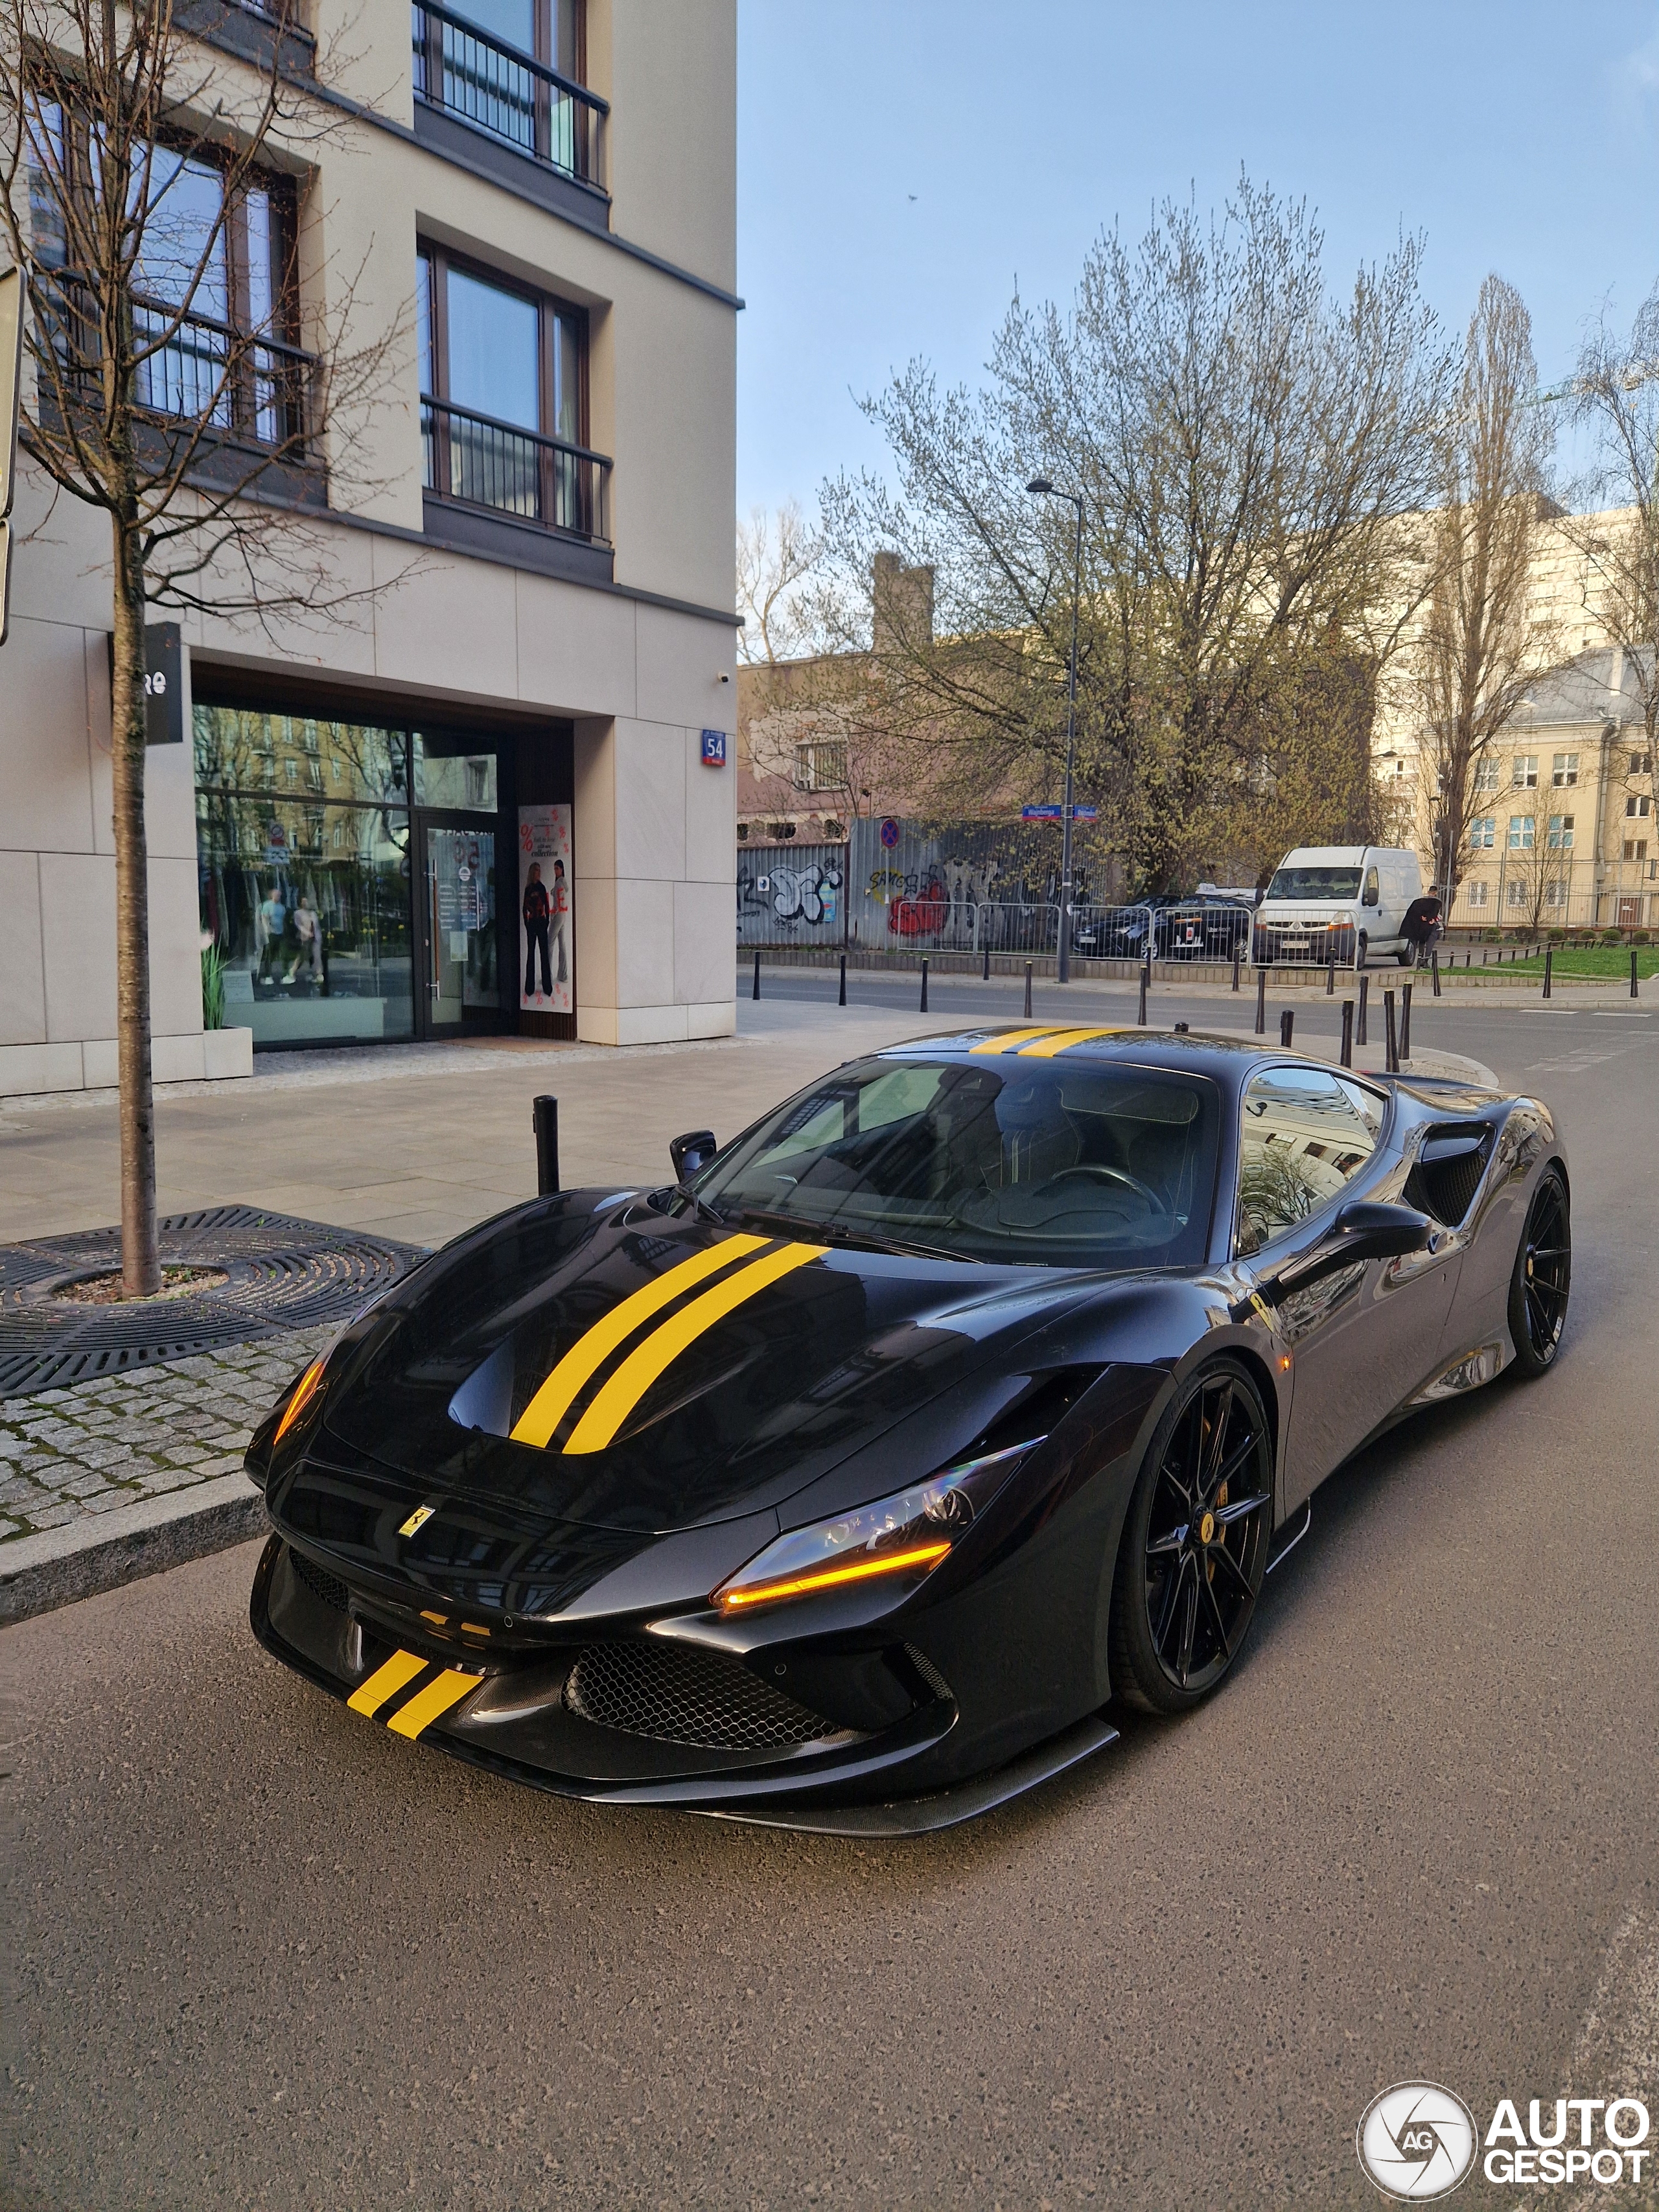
[997,1160]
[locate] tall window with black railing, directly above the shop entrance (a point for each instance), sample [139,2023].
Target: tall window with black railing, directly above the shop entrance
[503,399]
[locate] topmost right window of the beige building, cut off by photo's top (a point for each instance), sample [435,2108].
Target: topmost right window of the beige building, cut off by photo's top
[514,70]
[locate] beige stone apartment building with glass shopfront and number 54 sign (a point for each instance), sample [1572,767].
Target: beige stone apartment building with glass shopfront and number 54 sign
[490,789]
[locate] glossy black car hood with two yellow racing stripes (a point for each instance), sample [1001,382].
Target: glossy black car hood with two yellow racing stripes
[627,1370]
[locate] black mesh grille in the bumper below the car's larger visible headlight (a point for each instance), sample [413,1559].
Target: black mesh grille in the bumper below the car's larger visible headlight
[682,1695]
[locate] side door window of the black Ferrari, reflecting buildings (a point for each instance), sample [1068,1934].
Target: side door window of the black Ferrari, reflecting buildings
[1304,1136]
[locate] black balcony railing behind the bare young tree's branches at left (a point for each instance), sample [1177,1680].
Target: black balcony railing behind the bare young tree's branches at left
[202,373]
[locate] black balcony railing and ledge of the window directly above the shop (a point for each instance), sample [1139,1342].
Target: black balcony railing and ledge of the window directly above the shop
[488,479]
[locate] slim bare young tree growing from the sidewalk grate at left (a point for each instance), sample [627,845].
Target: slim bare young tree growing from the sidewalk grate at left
[167,388]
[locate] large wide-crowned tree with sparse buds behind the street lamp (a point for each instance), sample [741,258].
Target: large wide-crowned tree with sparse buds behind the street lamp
[1244,446]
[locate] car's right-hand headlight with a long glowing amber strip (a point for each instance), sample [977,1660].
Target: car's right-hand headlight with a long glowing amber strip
[899,1536]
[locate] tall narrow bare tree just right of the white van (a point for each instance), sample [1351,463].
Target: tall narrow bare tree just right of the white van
[1483,645]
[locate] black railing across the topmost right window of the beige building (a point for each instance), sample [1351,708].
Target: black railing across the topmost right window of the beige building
[510,94]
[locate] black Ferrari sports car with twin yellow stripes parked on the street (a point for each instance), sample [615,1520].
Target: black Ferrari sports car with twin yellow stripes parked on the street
[857,1477]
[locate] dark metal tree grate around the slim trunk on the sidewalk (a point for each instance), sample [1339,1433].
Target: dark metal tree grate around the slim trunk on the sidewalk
[278,1275]
